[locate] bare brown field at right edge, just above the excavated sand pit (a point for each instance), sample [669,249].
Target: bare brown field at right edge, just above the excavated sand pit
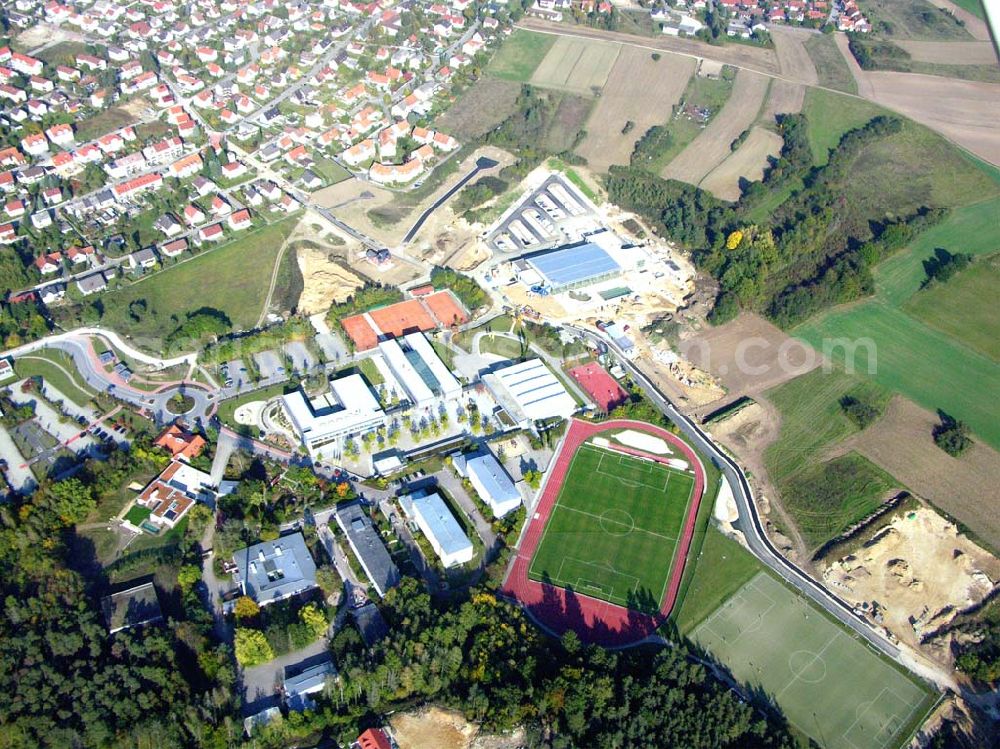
[901,443]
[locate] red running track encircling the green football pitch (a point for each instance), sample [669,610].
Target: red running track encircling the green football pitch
[559,610]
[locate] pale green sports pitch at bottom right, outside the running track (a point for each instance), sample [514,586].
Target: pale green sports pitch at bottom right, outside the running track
[832,687]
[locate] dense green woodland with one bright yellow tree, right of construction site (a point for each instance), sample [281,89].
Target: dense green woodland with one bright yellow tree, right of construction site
[814,250]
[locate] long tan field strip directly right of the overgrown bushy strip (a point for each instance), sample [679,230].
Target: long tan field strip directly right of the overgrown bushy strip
[712,146]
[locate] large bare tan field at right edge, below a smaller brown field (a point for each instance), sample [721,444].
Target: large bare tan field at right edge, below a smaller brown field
[966,112]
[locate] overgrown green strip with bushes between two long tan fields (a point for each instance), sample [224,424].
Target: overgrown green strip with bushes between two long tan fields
[700,104]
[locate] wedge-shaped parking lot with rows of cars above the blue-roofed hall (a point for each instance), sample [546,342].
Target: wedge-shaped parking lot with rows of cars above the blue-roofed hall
[545,218]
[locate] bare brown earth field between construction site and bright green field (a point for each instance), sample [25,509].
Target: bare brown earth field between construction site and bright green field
[749,354]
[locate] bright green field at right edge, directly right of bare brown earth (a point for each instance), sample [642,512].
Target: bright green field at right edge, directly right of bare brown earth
[923,364]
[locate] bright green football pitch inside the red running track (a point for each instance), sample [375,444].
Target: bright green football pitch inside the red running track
[614,528]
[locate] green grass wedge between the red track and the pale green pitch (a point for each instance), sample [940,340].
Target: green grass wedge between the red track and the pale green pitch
[722,567]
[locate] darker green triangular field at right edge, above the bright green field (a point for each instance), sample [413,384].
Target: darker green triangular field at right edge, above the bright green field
[963,307]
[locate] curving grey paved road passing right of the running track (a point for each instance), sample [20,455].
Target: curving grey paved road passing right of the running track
[749,519]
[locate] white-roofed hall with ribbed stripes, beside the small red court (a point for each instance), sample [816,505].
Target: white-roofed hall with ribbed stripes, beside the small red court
[530,392]
